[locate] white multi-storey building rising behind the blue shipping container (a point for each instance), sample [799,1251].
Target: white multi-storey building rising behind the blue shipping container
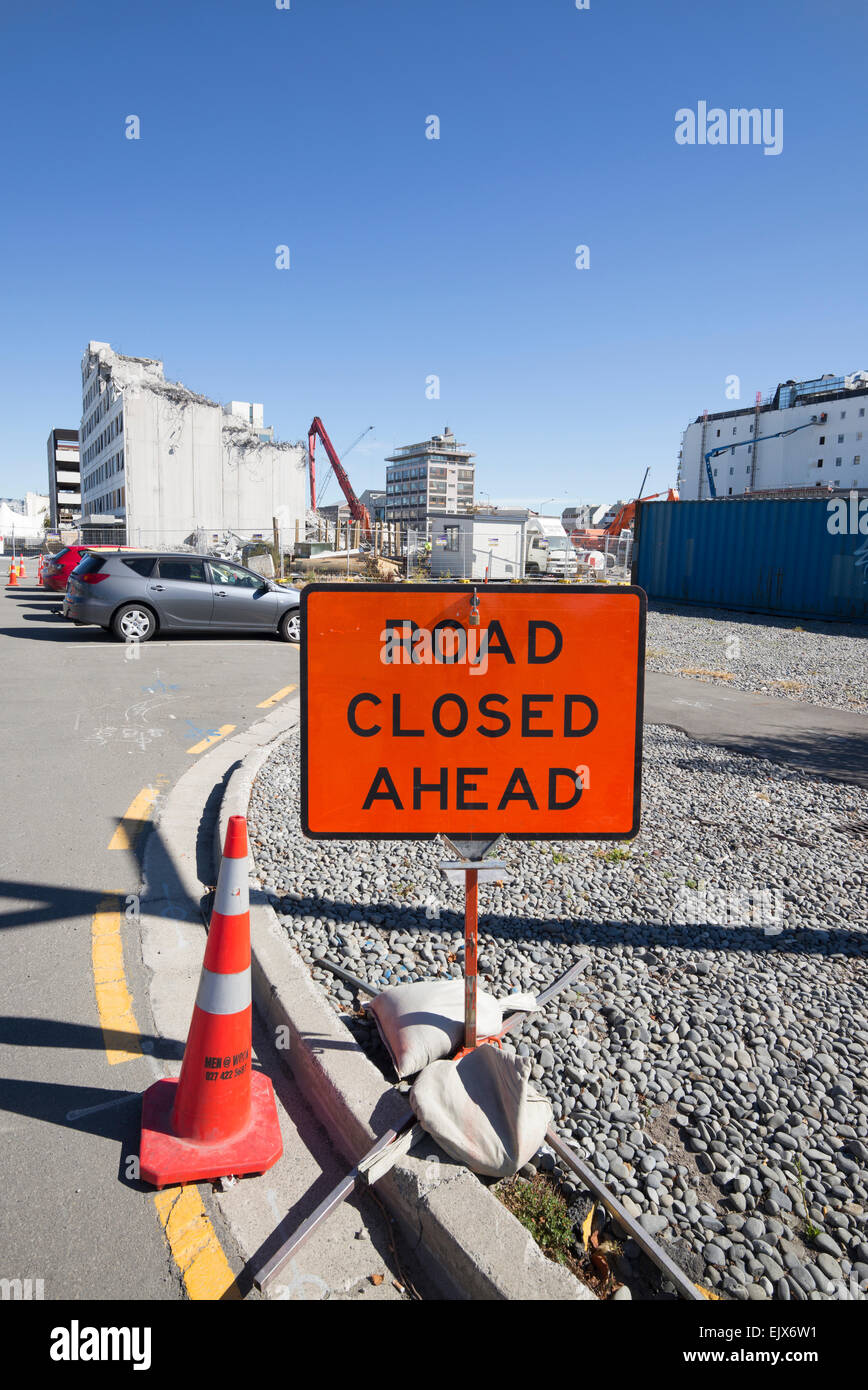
[809,434]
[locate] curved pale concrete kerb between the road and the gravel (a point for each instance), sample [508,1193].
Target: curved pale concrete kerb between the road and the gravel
[479,1250]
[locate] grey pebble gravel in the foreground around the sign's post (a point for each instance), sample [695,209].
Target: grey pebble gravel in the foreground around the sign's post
[713,1063]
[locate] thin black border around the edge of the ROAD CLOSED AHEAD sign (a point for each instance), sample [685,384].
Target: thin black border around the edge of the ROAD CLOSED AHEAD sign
[610,590]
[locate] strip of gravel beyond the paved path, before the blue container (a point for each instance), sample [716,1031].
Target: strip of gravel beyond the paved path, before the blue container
[817,664]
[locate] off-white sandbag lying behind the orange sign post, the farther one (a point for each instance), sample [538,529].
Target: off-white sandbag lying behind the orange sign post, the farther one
[425,1021]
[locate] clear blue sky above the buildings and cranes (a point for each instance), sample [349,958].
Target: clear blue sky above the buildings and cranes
[415,258]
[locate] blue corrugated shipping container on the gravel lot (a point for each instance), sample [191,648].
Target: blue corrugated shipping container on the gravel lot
[763,557]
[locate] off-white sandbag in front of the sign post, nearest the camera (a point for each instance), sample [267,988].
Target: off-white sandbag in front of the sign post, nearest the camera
[483,1111]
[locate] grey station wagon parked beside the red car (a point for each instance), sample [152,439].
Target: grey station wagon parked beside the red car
[137,594]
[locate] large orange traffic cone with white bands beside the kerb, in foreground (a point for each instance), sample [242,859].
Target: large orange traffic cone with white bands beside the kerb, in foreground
[219,1117]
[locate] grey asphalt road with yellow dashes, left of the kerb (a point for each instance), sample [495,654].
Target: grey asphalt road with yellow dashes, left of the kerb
[84,730]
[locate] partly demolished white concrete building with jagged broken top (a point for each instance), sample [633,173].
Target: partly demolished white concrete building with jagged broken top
[165,465]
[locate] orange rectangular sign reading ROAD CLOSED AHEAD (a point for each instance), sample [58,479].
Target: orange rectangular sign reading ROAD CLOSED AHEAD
[419,722]
